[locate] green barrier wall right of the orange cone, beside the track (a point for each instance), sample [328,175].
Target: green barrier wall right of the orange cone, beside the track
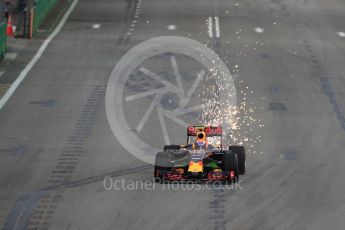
[41,10]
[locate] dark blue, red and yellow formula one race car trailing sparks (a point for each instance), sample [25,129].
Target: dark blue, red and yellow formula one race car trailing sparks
[202,158]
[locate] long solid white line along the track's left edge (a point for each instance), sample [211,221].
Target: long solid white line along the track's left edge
[37,56]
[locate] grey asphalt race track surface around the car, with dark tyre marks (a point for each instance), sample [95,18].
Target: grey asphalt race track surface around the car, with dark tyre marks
[287,58]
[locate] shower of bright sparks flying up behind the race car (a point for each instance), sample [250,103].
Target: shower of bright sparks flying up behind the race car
[239,121]
